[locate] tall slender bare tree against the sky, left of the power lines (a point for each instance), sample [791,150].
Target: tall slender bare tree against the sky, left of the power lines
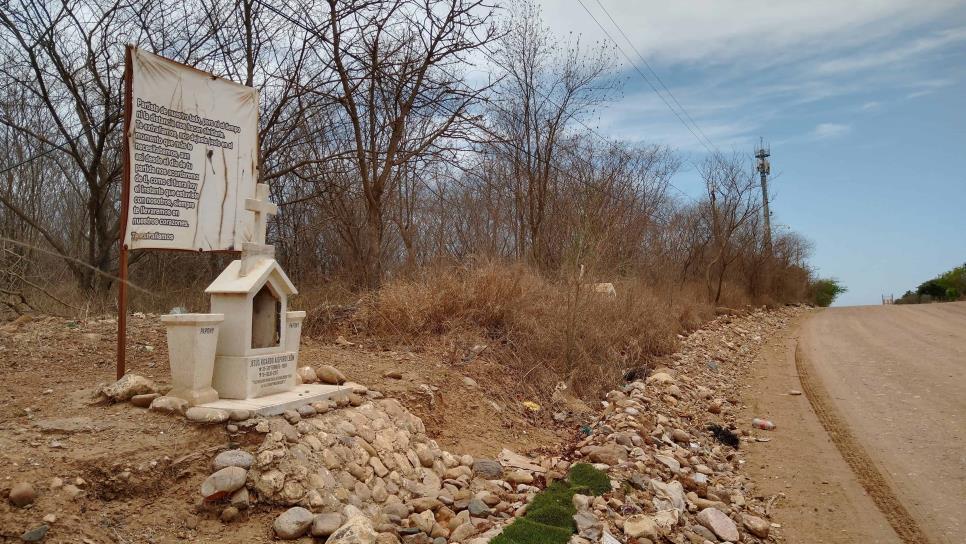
[548,86]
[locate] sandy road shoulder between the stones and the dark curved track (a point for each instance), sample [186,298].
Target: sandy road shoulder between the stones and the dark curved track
[823,500]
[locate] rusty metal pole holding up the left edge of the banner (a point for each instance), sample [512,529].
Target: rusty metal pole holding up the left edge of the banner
[122,230]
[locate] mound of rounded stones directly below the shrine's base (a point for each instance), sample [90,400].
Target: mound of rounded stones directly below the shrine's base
[370,474]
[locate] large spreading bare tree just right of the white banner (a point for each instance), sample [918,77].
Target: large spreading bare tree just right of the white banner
[402,98]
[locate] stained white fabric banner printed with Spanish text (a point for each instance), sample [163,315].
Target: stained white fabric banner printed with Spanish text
[193,143]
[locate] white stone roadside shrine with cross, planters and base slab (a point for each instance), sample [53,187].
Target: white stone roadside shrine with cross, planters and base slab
[244,354]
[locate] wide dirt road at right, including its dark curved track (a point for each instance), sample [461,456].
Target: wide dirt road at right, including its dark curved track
[892,383]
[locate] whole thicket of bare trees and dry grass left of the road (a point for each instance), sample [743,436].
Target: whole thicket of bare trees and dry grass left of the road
[418,205]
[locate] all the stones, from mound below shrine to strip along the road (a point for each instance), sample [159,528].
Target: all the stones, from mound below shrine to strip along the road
[368,474]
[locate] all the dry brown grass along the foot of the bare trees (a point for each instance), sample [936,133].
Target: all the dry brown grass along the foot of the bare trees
[541,330]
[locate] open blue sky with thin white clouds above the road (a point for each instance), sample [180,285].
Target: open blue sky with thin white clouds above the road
[863,104]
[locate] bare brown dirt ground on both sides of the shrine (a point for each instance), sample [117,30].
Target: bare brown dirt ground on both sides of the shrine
[140,467]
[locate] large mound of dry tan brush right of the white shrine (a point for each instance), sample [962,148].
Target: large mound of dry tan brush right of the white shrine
[542,330]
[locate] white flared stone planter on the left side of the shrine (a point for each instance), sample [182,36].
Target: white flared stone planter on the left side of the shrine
[192,340]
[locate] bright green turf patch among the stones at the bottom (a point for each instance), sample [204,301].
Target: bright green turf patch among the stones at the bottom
[550,516]
